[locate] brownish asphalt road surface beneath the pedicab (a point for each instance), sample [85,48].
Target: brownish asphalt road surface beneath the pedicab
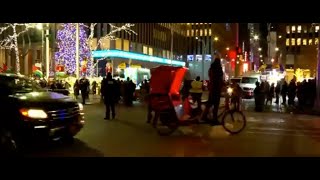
[266,134]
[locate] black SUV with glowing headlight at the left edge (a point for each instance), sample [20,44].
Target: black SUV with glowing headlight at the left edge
[29,113]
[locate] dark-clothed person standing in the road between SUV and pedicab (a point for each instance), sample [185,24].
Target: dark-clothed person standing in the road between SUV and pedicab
[109,90]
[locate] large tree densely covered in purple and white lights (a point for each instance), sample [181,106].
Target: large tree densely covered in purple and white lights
[66,41]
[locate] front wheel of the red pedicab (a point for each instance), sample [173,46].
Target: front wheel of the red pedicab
[234,122]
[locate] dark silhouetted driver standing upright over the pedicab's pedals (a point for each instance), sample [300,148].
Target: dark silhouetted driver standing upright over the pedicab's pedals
[215,86]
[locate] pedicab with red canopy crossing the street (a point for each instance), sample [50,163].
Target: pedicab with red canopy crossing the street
[170,112]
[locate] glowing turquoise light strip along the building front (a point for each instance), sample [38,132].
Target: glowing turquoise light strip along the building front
[136,56]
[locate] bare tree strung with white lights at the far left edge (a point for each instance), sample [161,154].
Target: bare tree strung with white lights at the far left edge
[11,40]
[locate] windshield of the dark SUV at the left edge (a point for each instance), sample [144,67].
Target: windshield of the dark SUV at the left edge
[19,84]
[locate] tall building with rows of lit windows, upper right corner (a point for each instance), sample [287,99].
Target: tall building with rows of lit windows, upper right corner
[298,46]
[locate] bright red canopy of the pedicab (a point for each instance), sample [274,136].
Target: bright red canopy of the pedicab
[166,80]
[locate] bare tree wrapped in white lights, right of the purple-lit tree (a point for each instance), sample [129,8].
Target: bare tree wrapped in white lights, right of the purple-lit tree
[126,27]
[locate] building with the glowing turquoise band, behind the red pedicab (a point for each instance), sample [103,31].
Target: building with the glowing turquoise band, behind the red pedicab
[152,45]
